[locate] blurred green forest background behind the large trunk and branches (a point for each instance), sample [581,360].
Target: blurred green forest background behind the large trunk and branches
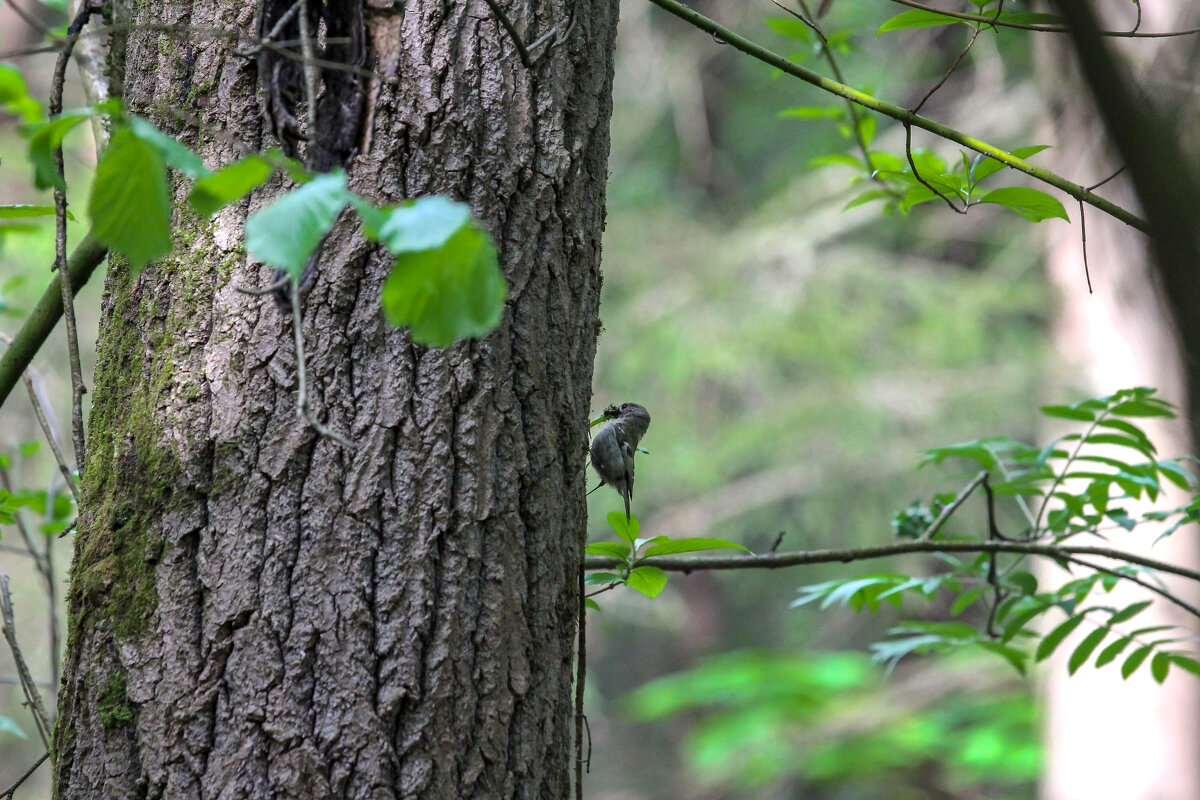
[796,359]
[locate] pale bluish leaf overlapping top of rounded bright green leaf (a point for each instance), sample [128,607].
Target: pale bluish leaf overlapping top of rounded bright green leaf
[415,226]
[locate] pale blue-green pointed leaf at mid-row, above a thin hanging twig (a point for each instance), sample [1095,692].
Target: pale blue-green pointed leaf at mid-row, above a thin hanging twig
[286,233]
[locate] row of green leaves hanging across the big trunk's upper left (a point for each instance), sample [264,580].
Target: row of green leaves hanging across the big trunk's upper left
[446,284]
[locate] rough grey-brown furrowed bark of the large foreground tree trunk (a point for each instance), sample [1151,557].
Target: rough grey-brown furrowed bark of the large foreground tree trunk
[260,613]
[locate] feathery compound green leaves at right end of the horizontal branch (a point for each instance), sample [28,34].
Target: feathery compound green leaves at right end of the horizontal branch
[1083,482]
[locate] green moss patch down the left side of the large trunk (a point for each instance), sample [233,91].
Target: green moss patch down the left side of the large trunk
[134,471]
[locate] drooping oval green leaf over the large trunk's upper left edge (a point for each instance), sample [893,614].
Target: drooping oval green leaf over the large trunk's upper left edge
[130,207]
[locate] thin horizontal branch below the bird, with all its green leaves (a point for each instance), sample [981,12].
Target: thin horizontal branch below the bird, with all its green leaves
[1078,490]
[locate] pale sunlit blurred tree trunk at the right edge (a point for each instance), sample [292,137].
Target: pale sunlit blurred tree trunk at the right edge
[1108,738]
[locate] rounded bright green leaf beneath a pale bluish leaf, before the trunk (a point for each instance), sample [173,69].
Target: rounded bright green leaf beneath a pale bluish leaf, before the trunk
[447,294]
